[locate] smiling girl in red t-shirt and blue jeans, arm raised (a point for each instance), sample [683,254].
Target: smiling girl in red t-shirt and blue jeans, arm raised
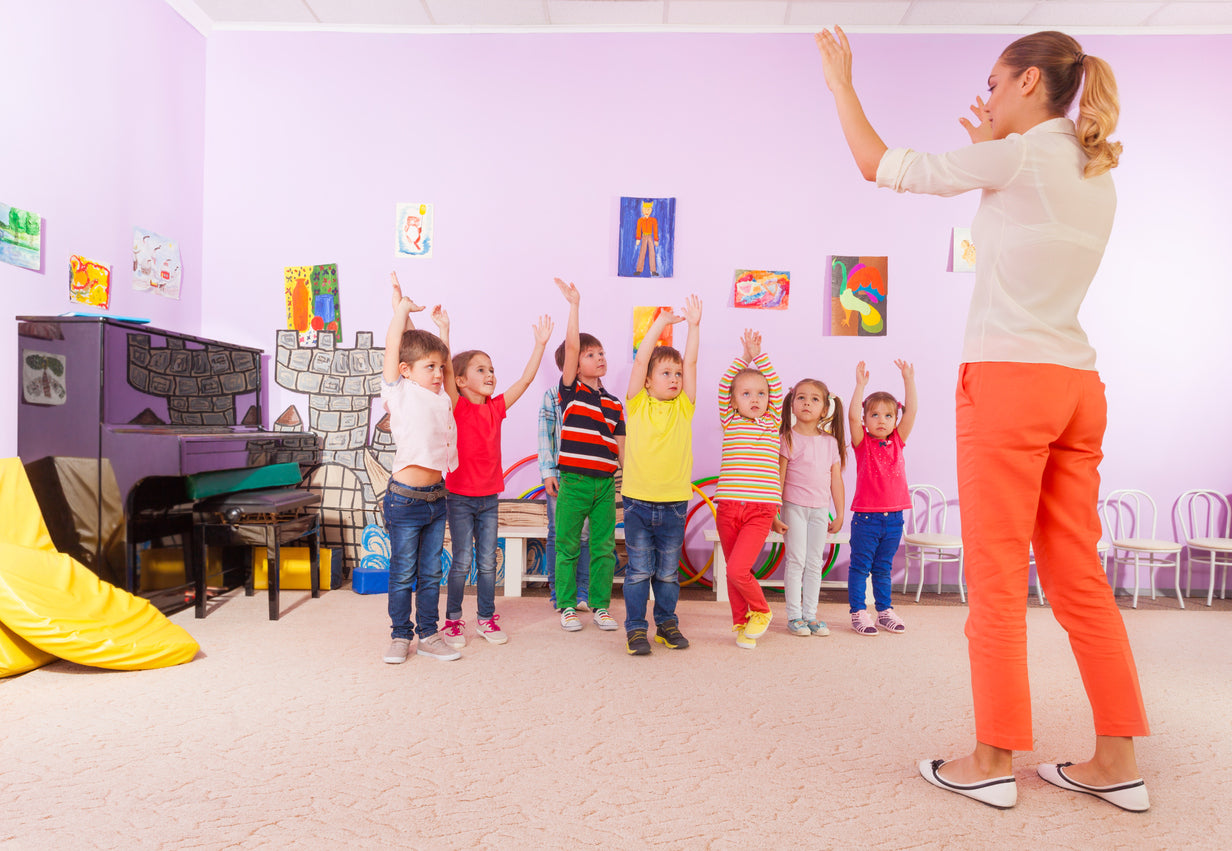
[475,487]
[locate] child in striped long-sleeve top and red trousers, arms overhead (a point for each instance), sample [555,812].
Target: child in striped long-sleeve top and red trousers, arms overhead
[750,490]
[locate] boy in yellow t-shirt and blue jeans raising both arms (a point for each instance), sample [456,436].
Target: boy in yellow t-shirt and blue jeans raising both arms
[659,478]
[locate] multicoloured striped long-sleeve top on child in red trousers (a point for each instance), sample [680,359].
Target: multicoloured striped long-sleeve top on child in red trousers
[750,470]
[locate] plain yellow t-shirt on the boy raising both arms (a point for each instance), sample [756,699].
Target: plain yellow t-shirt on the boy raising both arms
[659,449]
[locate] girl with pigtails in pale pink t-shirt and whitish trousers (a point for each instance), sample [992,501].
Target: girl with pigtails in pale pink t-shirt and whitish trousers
[813,454]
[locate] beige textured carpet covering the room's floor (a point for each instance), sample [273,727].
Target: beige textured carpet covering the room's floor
[295,735]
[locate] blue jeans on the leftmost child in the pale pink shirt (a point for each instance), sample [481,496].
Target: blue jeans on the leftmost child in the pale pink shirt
[417,534]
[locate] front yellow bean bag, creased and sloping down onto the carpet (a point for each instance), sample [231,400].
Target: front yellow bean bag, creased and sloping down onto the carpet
[65,609]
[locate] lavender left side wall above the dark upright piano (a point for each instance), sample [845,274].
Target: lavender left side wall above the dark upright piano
[103,130]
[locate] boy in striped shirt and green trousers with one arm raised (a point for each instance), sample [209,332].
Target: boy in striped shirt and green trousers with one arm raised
[592,449]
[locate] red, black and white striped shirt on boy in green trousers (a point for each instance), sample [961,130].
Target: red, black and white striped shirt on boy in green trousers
[591,423]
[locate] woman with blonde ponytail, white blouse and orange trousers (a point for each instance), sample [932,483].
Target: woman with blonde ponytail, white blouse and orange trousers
[1031,406]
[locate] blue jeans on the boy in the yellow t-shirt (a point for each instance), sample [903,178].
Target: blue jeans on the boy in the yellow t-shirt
[655,533]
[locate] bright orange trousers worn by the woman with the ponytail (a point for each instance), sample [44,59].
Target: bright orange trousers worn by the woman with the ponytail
[1031,440]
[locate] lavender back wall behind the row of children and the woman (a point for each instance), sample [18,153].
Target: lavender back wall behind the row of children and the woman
[527,143]
